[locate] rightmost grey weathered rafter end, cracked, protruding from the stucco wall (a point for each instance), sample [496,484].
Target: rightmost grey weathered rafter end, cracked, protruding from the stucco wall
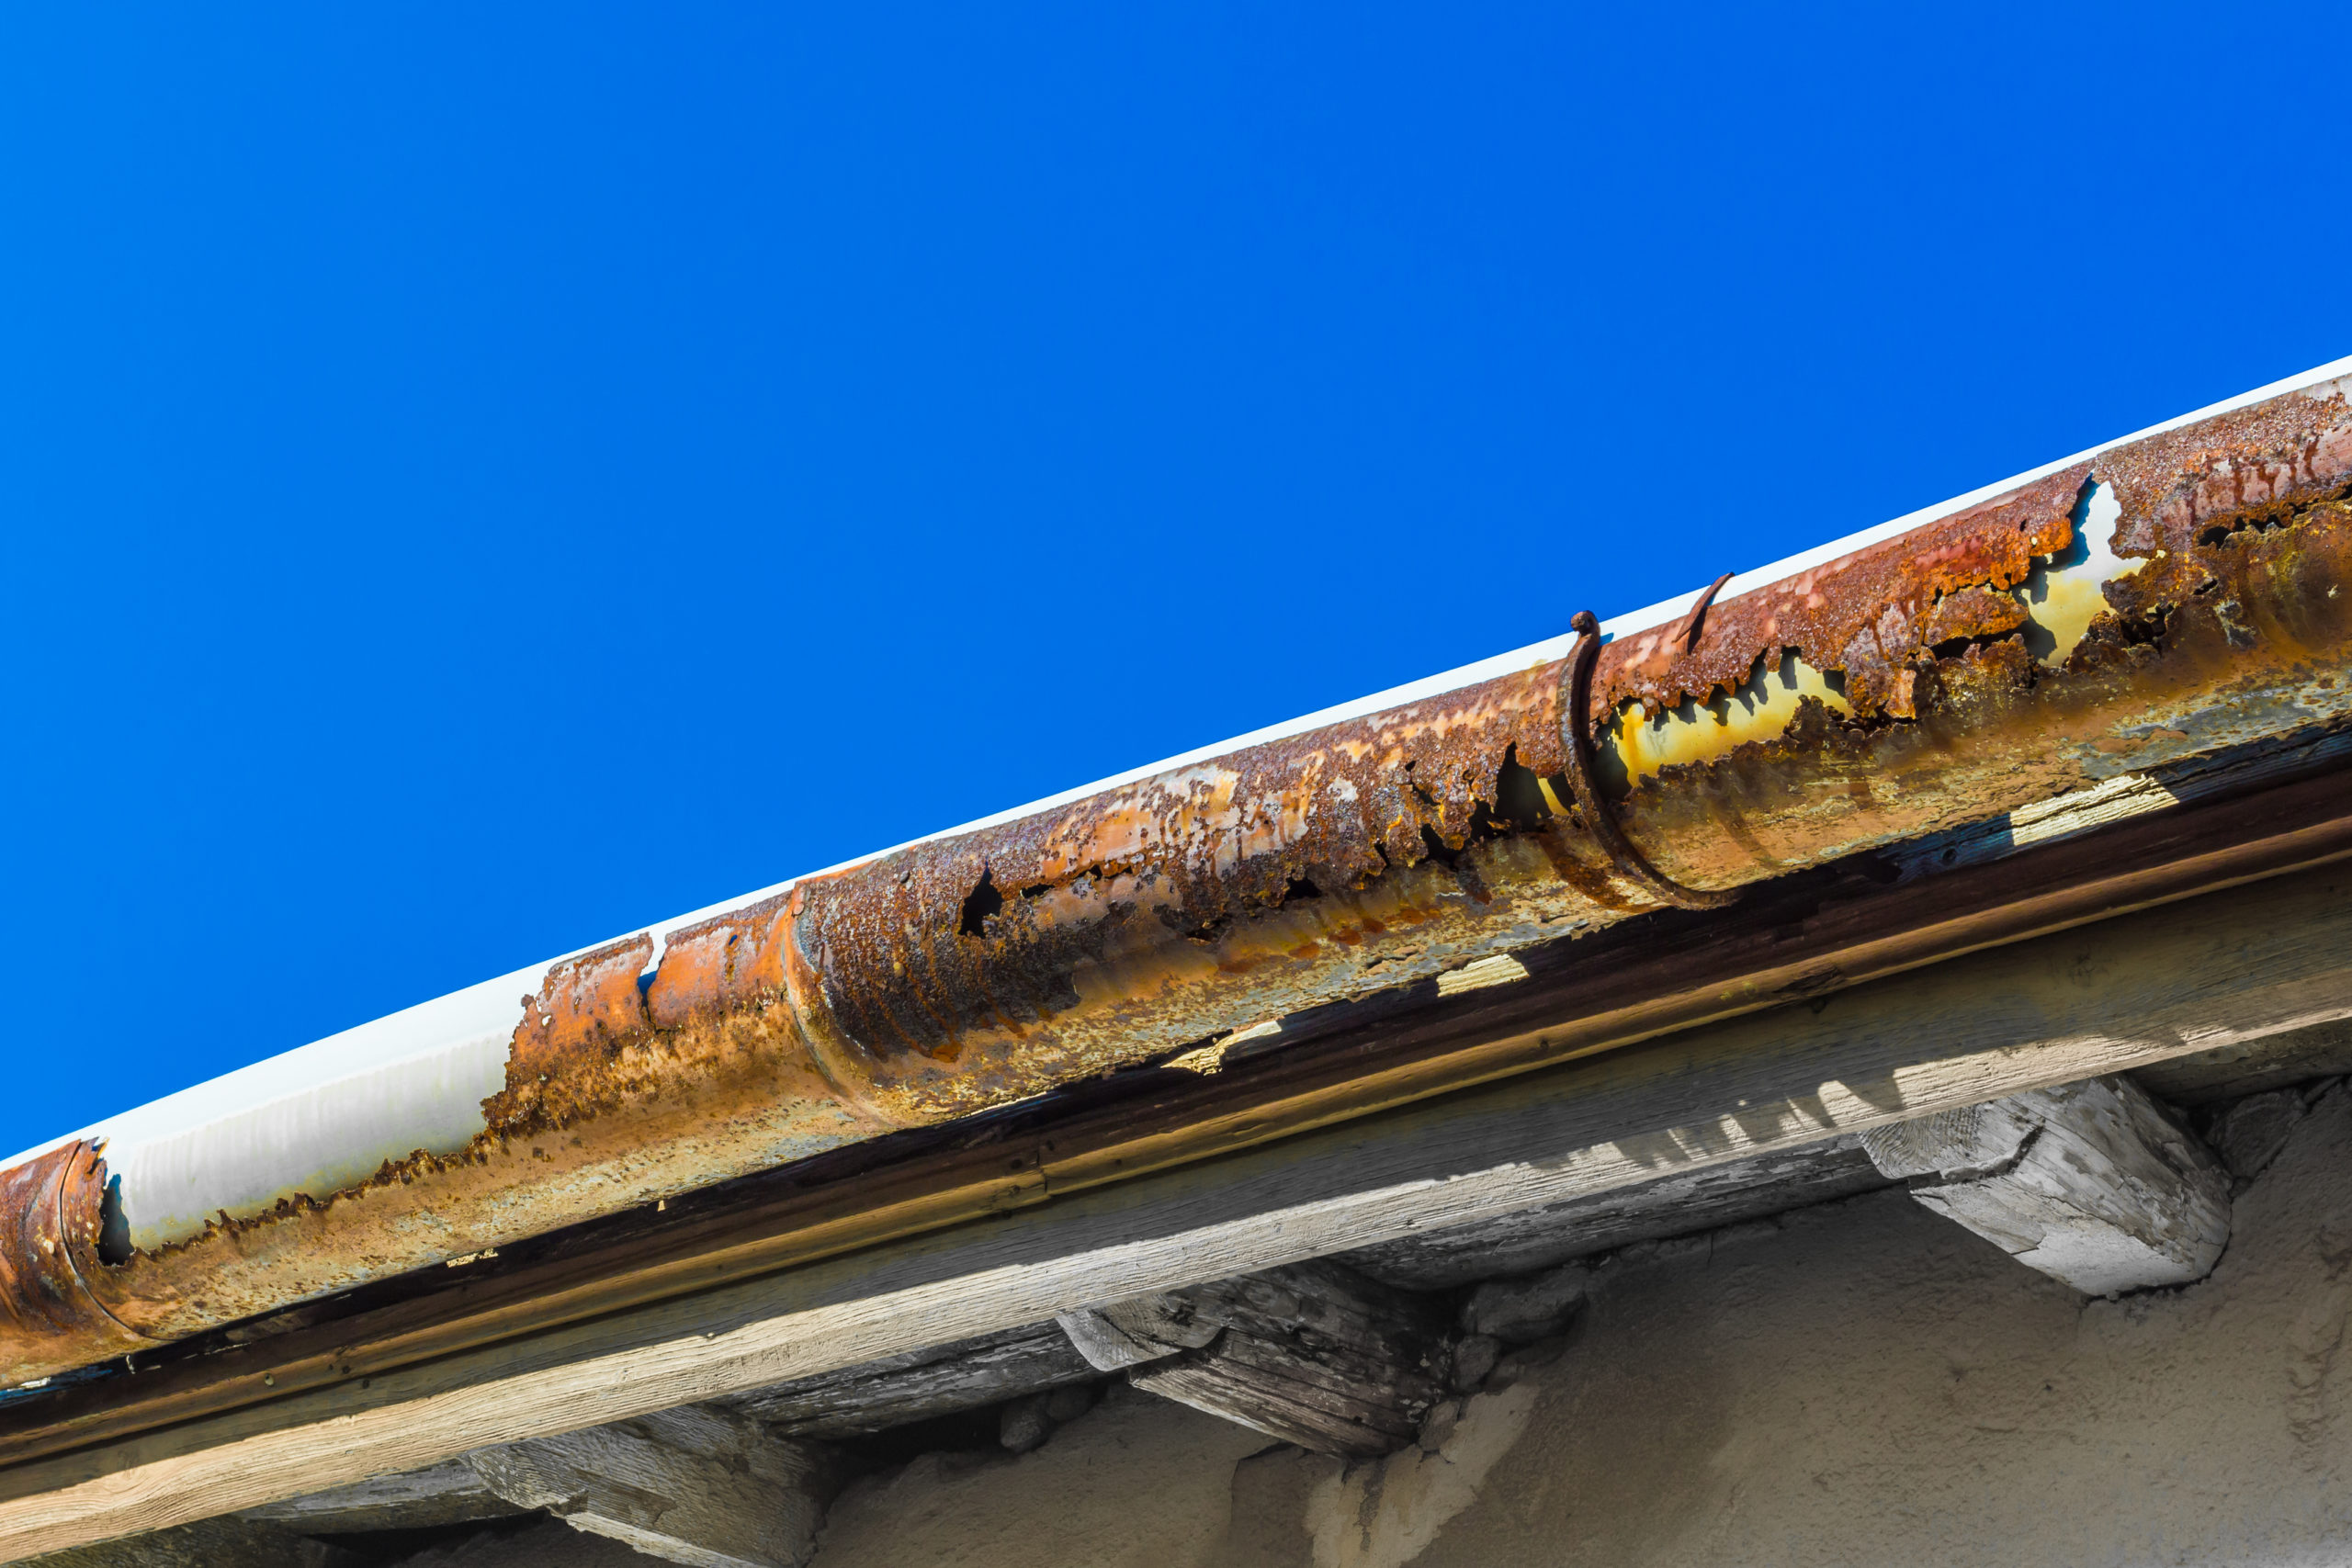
[2090,1184]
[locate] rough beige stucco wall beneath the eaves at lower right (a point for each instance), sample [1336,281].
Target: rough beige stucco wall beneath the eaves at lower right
[1857,1383]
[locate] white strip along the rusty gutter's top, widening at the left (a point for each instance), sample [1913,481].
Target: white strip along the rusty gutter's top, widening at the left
[457,1021]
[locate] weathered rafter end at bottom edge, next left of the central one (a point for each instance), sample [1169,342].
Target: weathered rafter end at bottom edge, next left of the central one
[690,1487]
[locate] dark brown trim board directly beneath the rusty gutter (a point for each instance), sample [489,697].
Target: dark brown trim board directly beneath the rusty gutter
[1805,934]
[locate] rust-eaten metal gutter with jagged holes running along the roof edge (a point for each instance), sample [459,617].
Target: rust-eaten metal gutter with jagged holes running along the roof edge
[2163,598]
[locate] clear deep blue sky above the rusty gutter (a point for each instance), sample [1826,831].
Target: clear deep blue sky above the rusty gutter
[486,478]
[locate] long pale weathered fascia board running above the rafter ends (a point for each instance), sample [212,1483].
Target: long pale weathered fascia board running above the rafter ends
[2073,1005]
